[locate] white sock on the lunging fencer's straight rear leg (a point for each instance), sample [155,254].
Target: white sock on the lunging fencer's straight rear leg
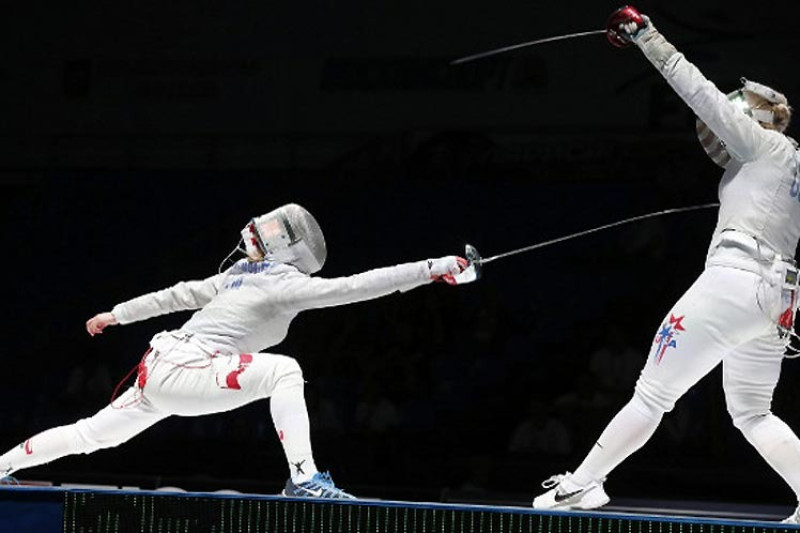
[42,448]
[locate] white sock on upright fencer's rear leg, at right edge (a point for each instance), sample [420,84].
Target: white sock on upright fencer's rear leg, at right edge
[778,445]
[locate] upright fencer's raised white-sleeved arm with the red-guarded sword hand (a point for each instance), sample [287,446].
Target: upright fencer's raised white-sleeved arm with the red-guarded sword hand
[743,136]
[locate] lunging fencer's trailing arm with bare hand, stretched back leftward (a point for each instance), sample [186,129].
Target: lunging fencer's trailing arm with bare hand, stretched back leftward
[183,296]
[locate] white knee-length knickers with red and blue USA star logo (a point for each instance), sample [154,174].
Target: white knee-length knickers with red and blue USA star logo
[728,315]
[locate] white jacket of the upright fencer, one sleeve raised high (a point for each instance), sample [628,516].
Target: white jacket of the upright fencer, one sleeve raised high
[758,192]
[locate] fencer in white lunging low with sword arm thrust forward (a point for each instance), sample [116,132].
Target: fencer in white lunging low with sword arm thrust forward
[212,364]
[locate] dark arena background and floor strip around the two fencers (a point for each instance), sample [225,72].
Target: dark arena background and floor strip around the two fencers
[139,138]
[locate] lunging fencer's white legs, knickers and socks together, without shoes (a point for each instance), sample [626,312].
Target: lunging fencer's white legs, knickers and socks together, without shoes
[179,376]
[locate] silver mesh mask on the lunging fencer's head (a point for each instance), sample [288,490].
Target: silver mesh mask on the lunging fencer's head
[290,235]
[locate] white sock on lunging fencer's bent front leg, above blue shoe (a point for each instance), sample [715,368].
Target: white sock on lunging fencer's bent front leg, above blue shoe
[290,416]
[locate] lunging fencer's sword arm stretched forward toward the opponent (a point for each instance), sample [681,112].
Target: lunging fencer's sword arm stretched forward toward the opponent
[304,292]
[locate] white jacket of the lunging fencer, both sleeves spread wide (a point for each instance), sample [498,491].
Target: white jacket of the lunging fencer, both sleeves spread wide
[249,307]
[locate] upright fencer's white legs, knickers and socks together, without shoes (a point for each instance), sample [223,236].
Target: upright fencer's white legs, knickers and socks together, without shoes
[729,315]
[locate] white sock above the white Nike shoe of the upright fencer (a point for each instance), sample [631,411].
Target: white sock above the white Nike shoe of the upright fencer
[628,431]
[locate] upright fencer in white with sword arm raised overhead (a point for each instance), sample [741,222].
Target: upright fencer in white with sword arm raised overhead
[740,310]
